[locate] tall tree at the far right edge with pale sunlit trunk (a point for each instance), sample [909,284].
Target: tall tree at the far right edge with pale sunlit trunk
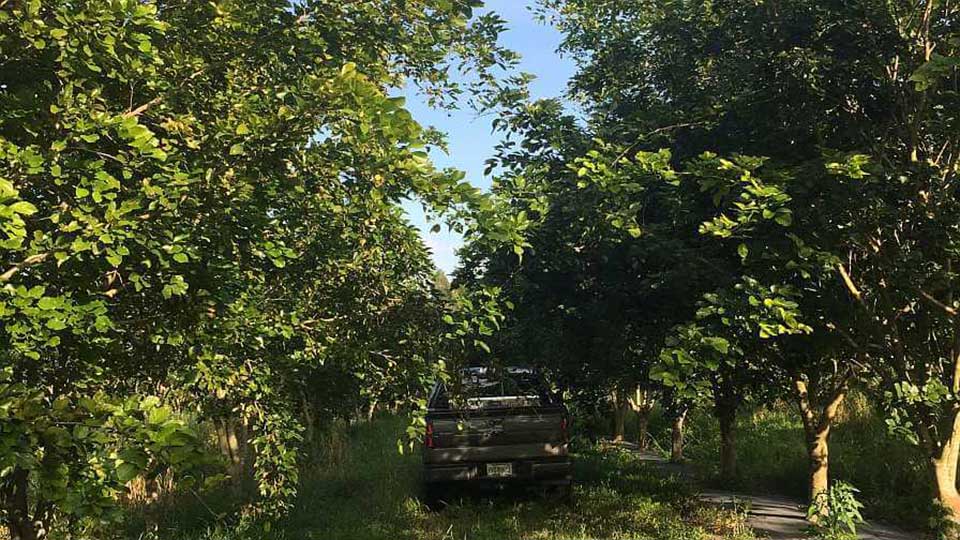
[817,87]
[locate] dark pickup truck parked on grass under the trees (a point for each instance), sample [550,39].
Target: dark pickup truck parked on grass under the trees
[496,427]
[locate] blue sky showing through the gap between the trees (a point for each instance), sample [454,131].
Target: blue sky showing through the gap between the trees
[470,138]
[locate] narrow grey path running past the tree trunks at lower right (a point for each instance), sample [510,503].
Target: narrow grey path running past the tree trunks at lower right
[776,517]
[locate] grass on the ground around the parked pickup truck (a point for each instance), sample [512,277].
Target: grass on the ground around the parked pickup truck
[365,490]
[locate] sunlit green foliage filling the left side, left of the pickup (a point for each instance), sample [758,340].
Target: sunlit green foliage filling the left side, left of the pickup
[201,201]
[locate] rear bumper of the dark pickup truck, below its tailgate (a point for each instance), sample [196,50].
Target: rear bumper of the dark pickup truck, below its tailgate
[558,471]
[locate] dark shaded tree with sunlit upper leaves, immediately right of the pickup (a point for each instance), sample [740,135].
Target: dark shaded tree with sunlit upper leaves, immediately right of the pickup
[597,282]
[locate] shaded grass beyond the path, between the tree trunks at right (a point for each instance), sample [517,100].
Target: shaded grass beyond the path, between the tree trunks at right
[889,473]
